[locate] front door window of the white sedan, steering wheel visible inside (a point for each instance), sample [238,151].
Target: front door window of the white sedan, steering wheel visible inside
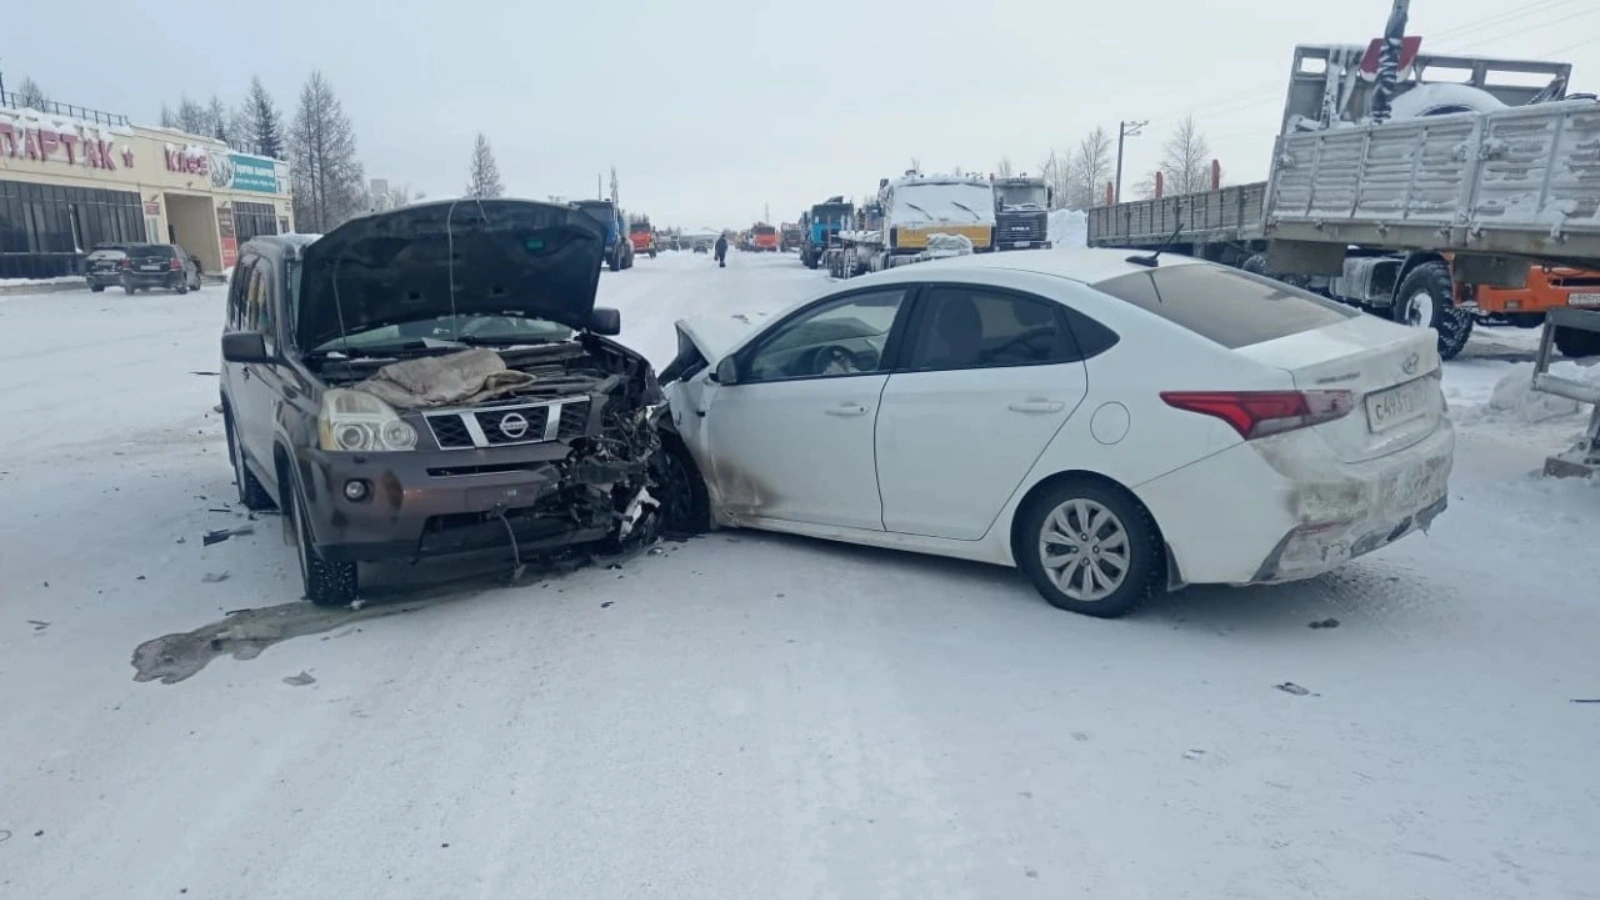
[844,337]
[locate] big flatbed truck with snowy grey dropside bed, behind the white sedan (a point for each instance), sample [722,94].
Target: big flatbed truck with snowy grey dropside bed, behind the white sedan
[1407,187]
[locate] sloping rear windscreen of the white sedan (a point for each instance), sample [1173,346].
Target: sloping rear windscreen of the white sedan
[1230,307]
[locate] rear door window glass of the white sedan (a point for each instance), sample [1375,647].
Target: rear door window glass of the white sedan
[974,327]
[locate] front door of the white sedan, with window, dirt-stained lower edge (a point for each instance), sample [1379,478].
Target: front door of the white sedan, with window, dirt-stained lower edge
[793,438]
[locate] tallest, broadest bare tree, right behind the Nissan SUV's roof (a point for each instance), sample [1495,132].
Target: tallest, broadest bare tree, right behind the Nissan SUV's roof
[327,177]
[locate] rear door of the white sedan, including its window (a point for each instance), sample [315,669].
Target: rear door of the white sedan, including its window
[988,380]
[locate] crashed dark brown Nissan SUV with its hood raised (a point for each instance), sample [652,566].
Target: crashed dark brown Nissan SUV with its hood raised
[433,380]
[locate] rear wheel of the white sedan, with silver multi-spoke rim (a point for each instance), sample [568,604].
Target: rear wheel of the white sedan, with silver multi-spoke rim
[1090,548]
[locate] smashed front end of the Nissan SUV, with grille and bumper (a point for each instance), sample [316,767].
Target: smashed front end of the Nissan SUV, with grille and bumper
[566,460]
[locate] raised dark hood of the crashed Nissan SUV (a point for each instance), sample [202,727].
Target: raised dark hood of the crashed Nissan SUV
[466,257]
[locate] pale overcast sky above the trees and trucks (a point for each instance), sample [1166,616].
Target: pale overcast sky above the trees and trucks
[713,111]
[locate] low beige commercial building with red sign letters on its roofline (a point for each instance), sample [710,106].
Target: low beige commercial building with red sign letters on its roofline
[73,179]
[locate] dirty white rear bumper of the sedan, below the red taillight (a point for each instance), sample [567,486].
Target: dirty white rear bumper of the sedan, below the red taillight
[1286,508]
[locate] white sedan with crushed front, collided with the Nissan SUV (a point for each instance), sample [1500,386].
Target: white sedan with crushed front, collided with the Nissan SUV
[1110,425]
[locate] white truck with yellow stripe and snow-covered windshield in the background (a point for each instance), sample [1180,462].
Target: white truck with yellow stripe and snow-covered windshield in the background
[918,217]
